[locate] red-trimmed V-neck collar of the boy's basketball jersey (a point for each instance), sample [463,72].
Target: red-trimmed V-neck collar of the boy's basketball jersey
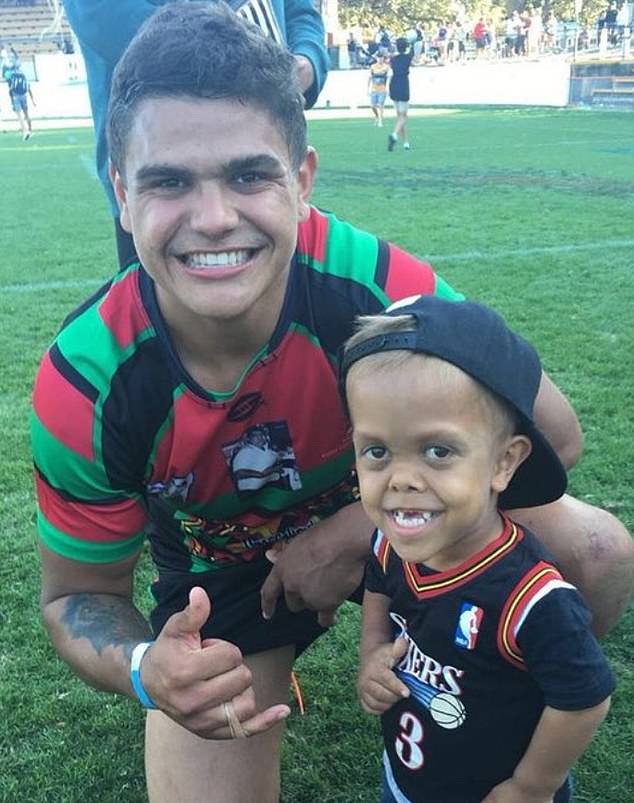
[425,586]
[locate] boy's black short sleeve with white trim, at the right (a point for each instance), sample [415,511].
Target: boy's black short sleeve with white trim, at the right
[559,650]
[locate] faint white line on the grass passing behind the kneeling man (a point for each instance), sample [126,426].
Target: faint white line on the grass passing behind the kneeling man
[484,256]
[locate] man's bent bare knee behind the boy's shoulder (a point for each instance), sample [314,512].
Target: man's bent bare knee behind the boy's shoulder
[594,550]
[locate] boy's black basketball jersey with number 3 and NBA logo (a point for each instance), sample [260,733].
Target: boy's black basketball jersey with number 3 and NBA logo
[490,643]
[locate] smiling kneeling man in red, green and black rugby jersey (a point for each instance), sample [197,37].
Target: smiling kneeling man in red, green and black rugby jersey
[144,403]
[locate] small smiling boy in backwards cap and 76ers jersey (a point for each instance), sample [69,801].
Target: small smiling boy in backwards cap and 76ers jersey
[475,650]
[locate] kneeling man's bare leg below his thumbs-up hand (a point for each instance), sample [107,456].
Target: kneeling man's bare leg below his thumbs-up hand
[185,768]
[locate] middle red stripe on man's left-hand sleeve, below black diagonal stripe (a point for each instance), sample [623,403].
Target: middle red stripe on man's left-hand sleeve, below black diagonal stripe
[72,422]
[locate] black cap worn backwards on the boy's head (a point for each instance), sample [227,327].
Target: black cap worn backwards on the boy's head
[477,340]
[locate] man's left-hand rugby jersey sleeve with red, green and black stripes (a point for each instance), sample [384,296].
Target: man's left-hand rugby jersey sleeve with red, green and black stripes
[88,465]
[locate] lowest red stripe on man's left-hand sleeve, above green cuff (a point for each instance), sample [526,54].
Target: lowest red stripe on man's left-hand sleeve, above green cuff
[105,523]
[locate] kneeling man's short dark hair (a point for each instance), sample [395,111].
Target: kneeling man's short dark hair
[205,50]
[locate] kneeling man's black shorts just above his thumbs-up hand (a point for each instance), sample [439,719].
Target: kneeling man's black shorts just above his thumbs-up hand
[236,609]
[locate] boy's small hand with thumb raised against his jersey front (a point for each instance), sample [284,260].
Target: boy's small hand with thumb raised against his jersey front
[378,686]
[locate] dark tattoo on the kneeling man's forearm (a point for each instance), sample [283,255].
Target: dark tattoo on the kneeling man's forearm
[105,620]
